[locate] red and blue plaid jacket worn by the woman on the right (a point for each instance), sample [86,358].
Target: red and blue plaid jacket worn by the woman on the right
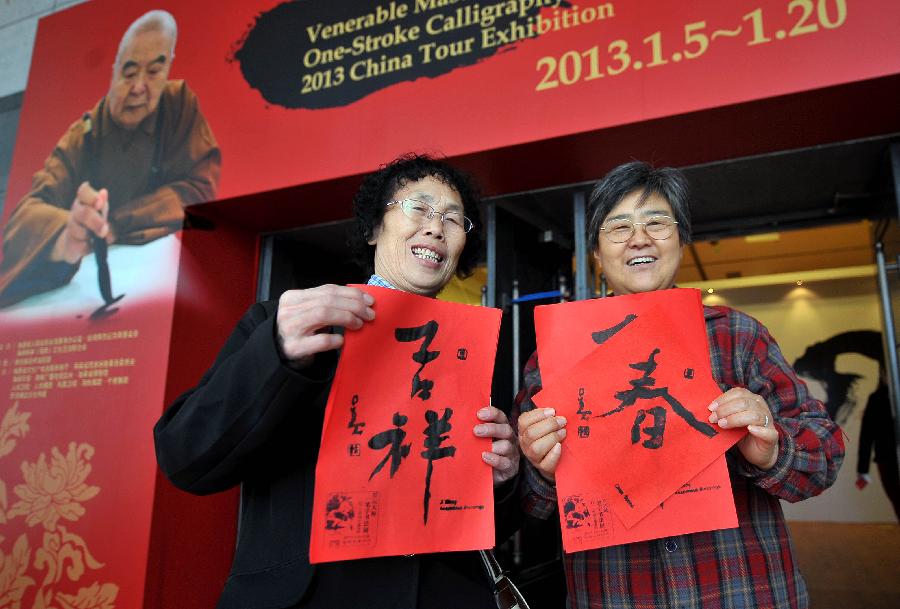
[747,567]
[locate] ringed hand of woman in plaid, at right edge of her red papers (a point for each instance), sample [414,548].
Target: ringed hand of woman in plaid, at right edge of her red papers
[739,407]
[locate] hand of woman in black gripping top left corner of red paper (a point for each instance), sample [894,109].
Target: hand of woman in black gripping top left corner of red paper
[305,318]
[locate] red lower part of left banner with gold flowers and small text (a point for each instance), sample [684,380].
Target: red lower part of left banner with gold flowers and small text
[78,400]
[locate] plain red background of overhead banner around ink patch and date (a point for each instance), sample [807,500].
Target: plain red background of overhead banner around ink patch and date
[490,105]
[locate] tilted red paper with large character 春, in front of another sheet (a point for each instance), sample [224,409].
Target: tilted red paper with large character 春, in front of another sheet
[638,409]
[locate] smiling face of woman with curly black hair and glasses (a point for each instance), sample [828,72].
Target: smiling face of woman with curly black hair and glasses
[419,257]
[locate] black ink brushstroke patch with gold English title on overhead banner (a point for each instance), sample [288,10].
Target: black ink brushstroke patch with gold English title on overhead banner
[324,54]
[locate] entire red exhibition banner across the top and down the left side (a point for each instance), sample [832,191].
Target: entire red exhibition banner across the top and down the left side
[354,86]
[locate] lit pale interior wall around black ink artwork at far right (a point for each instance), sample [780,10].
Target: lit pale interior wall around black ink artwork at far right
[799,316]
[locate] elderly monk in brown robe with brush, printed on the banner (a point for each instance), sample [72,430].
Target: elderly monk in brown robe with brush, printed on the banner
[120,175]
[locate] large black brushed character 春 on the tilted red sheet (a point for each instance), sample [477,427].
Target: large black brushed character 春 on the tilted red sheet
[642,388]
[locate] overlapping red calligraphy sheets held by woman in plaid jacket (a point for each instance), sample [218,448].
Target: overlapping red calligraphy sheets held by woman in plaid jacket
[569,333]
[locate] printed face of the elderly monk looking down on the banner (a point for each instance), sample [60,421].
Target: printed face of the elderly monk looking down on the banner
[139,78]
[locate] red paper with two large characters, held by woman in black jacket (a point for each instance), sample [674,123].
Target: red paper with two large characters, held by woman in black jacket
[399,469]
